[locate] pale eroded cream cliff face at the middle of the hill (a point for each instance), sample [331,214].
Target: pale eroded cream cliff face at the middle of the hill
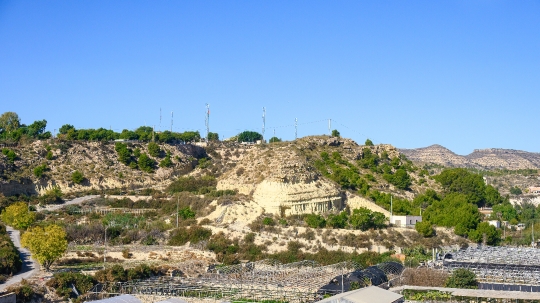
[281,177]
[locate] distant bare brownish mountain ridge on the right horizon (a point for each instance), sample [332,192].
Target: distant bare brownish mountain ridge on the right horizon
[491,158]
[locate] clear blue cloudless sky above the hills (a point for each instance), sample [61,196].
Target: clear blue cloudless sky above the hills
[463,74]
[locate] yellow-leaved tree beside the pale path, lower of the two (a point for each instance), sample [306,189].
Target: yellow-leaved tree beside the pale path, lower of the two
[46,244]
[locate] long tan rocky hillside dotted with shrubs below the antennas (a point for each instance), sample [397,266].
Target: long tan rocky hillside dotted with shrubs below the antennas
[279,177]
